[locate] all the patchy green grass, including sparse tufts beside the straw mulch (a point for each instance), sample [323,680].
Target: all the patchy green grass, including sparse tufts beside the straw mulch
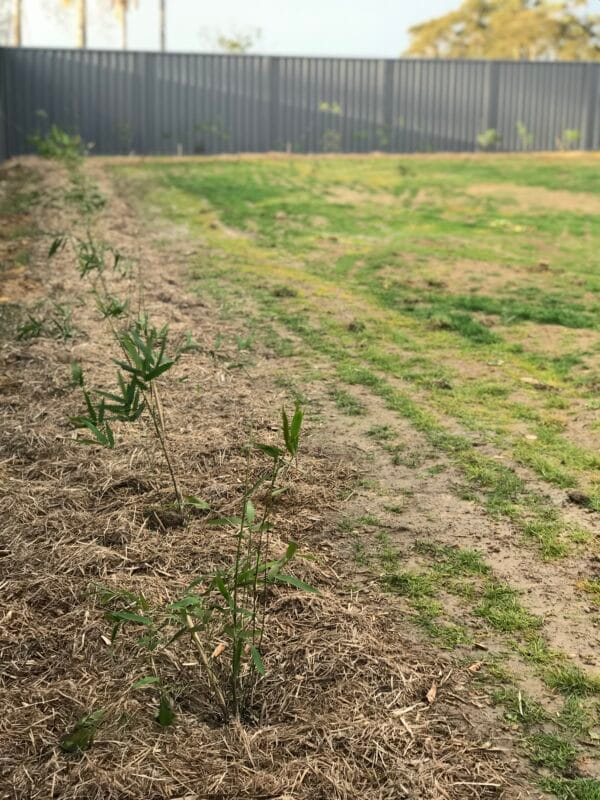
[471,317]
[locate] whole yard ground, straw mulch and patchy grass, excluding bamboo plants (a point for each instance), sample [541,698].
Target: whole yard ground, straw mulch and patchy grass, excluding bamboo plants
[438,321]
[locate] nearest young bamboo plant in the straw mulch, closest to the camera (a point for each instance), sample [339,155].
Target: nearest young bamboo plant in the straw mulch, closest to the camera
[221,616]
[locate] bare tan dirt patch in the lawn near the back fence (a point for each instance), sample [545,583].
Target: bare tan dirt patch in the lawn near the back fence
[531,197]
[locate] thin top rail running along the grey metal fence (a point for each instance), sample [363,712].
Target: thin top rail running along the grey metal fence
[213,54]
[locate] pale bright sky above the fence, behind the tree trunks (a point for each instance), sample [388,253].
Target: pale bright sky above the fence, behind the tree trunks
[375,28]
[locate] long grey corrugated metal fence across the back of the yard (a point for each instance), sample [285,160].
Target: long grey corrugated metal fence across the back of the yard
[151,103]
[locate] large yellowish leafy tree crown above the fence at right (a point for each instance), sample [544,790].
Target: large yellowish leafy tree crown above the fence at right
[513,29]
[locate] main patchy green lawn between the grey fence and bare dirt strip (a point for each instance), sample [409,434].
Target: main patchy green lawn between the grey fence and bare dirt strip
[463,292]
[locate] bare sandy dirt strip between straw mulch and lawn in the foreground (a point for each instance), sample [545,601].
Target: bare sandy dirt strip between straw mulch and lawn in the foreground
[432,512]
